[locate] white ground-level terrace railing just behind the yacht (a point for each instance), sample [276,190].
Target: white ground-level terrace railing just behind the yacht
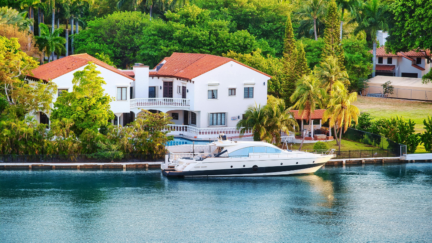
[204,133]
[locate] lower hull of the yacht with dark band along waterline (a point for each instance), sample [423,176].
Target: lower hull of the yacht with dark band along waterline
[261,171]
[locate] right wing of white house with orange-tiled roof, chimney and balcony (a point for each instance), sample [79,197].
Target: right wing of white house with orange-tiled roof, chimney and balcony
[203,93]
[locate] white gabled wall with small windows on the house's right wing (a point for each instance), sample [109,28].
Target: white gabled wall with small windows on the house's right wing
[228,75]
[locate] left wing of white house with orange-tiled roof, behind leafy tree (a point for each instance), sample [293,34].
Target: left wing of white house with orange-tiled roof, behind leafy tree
[61,72]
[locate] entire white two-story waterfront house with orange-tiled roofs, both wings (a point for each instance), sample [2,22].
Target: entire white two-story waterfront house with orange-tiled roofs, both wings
[204,94]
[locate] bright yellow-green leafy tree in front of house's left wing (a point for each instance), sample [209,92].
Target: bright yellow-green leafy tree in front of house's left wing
[87,105]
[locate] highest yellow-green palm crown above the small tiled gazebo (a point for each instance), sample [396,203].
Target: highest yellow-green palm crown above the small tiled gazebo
[329,73]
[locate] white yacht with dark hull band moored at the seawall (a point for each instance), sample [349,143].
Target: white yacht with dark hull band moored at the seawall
[232,158]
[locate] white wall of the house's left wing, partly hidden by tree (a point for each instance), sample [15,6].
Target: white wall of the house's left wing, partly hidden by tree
[112,79]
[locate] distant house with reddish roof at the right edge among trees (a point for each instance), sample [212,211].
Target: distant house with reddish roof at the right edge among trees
[412,64]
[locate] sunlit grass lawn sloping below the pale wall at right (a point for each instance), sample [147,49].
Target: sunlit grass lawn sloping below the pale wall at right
[387,108]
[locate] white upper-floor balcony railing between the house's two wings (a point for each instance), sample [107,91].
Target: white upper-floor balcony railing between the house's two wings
[160,102]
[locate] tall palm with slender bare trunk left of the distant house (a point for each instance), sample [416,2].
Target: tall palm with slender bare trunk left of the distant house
[371,17]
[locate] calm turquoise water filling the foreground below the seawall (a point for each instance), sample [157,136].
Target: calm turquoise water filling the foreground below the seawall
[353,204]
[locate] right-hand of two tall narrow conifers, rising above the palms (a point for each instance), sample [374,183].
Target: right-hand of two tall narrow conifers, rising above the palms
[332,43]
